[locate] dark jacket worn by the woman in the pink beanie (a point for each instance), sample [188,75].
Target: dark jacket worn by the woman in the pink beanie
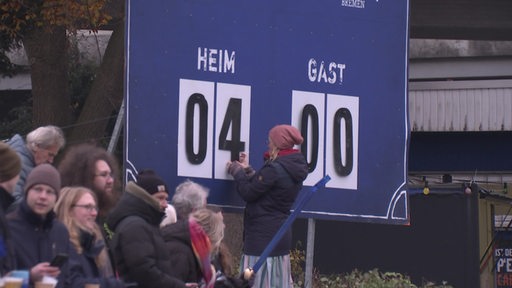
[269,195]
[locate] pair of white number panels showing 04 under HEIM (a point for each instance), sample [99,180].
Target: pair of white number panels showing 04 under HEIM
[197,145]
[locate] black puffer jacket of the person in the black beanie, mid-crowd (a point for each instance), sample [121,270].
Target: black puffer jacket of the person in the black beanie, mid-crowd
[139,250]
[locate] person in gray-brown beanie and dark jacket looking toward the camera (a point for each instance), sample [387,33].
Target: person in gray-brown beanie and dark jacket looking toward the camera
[36,233]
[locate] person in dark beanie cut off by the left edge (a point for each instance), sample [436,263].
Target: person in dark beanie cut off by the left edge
[10,167]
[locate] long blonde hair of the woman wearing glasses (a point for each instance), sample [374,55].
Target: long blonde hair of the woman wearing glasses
[68,197]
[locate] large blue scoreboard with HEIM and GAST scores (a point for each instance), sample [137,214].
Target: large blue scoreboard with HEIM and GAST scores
[207,79]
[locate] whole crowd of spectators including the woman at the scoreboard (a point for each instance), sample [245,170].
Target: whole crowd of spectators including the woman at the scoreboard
[72,222]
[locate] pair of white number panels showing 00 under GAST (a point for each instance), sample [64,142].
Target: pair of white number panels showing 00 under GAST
[330,121]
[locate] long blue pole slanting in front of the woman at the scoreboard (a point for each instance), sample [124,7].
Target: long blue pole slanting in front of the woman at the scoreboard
[279,234]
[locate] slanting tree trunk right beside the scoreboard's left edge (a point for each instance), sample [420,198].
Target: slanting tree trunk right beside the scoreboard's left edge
[106,95]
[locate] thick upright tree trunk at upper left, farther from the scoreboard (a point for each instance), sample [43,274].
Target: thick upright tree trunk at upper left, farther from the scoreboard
[47,55]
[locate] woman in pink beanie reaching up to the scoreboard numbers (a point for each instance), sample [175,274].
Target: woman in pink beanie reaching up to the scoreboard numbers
[269,194]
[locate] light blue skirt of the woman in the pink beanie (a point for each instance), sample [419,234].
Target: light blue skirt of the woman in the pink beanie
[274,273]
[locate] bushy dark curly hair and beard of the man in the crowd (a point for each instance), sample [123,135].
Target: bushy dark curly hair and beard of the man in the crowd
[78,167]
